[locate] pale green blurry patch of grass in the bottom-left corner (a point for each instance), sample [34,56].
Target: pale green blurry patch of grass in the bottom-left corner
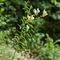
[6,53]
